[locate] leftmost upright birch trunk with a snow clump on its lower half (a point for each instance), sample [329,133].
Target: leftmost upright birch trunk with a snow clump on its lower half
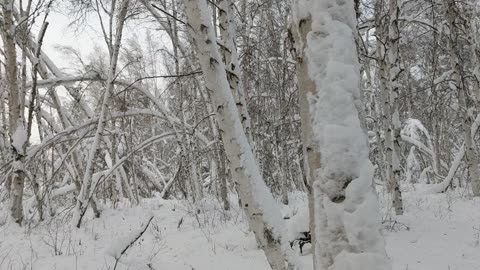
[17,131]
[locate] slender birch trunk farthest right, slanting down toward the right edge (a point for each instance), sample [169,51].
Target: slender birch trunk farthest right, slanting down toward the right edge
[458,86]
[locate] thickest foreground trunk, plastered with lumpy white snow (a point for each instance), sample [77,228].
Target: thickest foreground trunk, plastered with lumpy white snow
[347,221]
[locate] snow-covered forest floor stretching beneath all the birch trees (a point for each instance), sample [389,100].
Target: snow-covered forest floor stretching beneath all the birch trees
[437,232]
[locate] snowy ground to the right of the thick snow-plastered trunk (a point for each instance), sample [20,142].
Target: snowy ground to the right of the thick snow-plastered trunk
[444,233]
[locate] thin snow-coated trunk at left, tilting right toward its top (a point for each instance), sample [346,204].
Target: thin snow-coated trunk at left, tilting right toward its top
[86,192]
